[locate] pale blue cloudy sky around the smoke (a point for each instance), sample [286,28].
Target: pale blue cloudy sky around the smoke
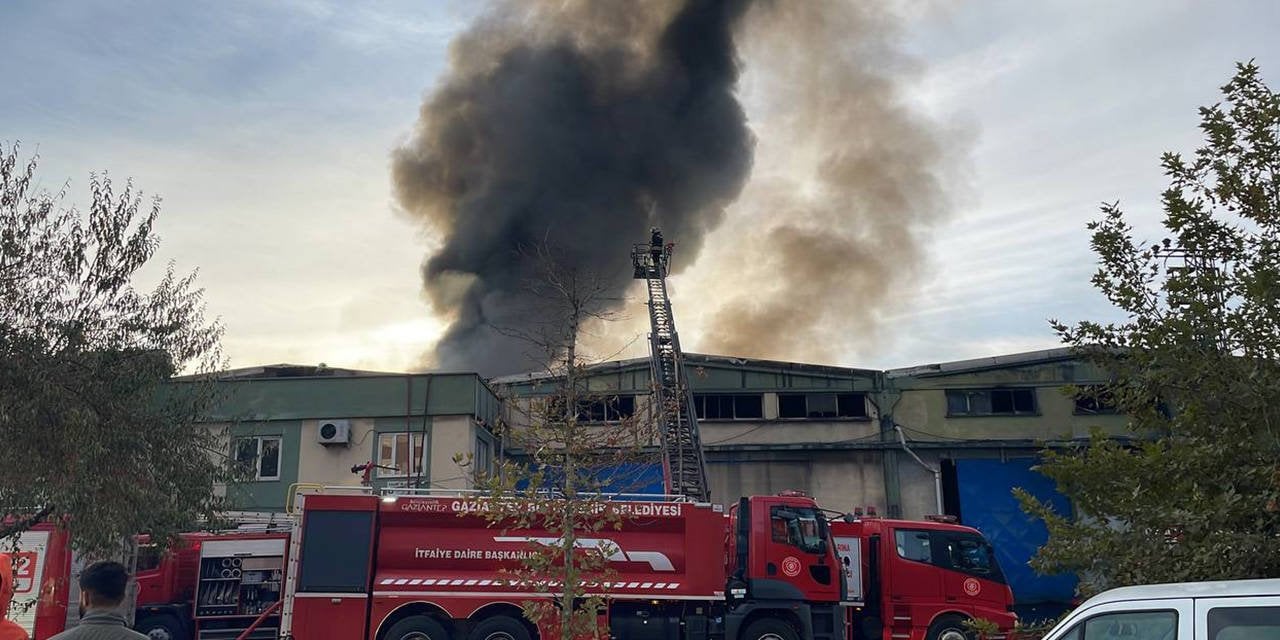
[267,130]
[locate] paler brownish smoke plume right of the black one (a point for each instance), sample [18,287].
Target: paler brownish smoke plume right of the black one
[838,234]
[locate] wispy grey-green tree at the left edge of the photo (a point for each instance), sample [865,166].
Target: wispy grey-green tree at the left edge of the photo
[93,436]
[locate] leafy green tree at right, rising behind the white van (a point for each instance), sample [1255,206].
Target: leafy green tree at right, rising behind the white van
[1194,365]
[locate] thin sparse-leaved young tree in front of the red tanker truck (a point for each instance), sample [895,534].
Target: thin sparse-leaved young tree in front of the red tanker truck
[565,463]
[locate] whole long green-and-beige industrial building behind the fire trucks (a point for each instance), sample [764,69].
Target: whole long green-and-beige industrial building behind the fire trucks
[952,437]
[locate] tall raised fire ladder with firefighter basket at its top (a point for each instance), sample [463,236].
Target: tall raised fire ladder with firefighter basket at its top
[684,464]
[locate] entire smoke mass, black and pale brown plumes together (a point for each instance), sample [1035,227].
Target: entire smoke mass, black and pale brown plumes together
[574,126]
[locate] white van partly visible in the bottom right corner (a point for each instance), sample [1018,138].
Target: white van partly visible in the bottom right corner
[1240,610]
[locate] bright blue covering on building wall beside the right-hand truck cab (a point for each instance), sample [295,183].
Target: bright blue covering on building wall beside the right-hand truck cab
[988,505]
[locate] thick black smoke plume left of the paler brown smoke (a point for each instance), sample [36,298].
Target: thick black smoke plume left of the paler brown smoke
[577,124]
